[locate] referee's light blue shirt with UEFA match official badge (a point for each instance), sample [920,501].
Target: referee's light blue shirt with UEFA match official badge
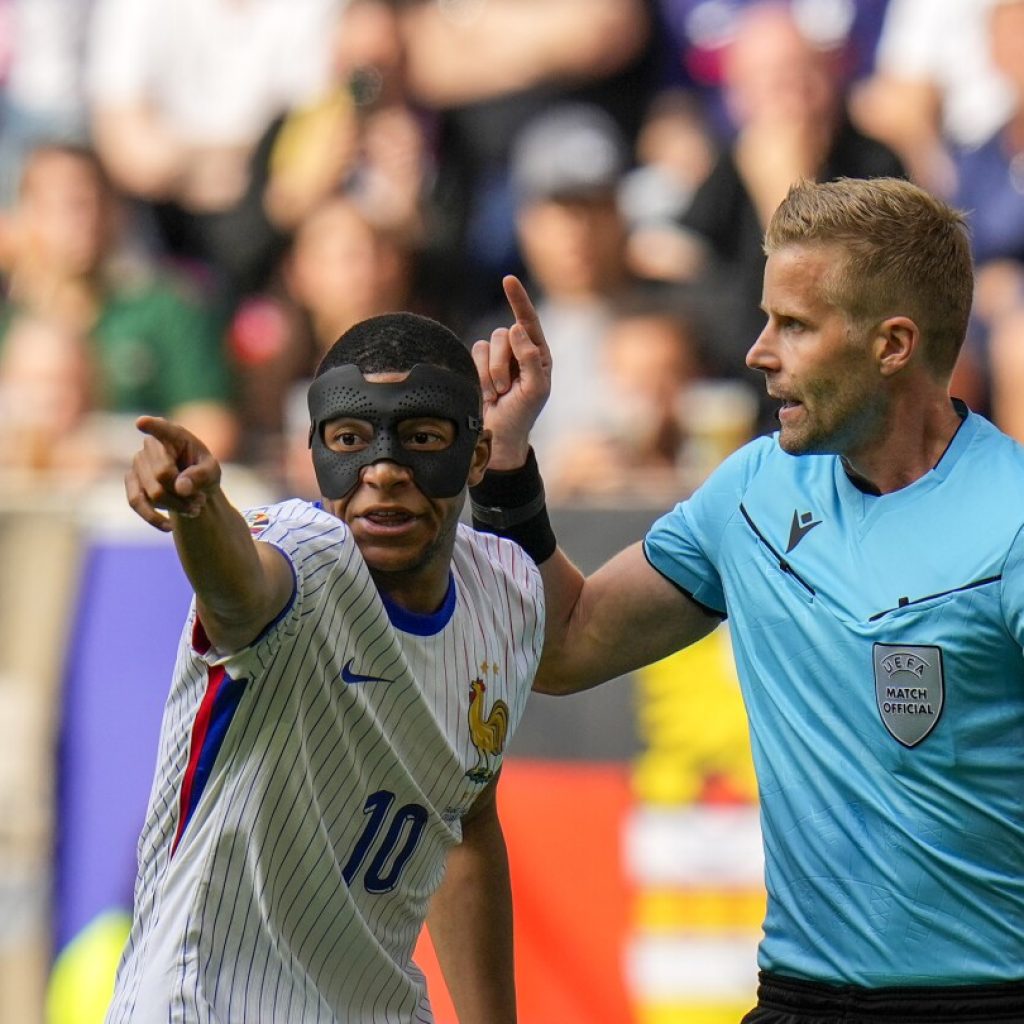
[879,645]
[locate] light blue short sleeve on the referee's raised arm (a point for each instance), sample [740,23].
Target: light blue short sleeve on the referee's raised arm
[686,545]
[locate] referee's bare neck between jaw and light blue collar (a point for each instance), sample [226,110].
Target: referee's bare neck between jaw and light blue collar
[911,445]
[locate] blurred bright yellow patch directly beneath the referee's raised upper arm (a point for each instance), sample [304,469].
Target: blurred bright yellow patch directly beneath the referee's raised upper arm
[692,720]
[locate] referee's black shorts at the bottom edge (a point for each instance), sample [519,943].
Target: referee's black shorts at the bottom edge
[788,1001]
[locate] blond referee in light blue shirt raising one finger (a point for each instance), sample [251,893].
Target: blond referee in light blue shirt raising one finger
[870,558]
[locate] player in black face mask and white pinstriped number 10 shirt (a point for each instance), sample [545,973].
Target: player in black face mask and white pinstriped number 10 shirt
[346,685]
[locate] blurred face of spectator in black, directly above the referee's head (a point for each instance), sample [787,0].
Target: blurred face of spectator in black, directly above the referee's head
[774,73]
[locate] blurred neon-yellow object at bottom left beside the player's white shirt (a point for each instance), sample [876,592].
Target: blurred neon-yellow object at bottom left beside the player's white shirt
[82,980]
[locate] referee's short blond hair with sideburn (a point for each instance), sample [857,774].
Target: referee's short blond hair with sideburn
[908,253]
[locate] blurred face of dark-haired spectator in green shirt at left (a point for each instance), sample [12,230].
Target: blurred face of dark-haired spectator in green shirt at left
[64,214]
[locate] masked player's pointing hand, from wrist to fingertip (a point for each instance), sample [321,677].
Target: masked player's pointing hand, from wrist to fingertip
[173,472]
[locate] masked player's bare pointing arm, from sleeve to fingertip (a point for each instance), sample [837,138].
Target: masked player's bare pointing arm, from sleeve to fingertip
[175,485]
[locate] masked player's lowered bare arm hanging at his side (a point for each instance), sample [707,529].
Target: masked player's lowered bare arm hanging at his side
[471,920]
